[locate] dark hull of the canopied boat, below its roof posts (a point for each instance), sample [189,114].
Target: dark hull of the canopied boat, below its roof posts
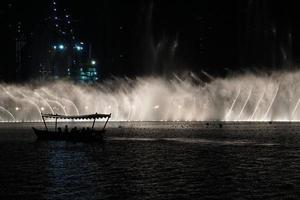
[86,136]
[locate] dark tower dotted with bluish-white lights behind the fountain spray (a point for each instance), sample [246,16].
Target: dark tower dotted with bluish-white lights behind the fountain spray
[67,58]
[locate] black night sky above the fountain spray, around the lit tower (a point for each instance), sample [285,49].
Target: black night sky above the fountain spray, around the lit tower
[144,37]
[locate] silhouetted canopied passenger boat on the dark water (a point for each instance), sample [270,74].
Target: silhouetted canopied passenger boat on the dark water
[83,134]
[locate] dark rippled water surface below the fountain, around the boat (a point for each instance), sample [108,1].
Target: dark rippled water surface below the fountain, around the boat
[155,161]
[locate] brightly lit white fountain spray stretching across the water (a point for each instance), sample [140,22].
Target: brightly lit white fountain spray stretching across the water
[242,98]
